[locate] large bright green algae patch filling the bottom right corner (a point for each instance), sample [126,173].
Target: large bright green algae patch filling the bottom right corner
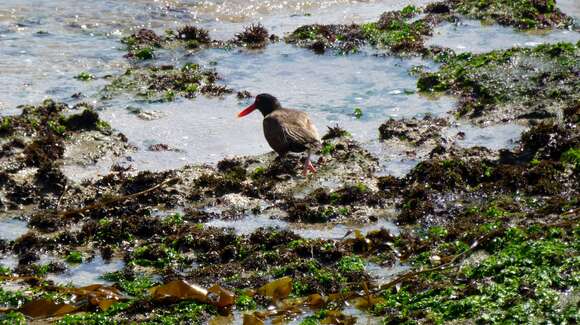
[519,281]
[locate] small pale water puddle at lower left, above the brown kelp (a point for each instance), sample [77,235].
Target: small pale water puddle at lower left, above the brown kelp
[88,273]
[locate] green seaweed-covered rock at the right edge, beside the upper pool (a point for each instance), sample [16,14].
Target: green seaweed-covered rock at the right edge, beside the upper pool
[502,85]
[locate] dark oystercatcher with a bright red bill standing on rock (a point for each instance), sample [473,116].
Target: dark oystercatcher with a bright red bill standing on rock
[285,129]
